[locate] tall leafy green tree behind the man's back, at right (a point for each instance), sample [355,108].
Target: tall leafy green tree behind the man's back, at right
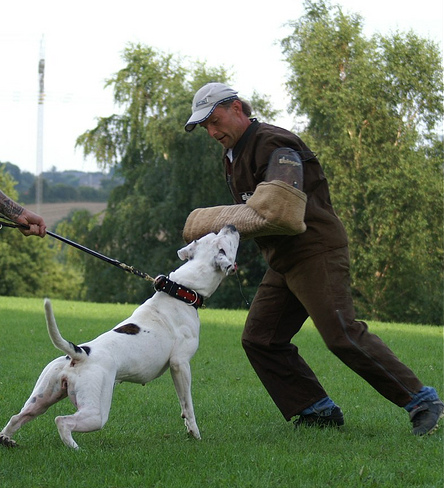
[371,108]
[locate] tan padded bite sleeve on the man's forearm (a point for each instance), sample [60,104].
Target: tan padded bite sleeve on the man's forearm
[275,208]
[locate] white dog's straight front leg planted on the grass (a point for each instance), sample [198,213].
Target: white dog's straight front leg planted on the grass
[181,374]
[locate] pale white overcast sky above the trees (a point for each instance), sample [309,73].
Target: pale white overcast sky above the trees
[82,43]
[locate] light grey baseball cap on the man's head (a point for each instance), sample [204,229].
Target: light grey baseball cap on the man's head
[206,100]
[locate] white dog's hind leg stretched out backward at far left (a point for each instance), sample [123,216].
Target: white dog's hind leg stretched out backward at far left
[49,389]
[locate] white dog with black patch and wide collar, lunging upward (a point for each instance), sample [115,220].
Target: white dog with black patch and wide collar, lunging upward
[163,332]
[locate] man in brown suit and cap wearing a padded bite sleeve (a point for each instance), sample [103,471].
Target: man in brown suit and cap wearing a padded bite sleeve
[282,201]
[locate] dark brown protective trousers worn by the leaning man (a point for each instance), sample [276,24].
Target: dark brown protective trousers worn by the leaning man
[318,287]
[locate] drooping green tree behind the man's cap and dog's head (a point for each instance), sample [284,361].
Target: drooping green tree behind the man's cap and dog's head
[167,173]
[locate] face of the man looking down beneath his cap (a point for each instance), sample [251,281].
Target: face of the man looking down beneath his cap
[226,124]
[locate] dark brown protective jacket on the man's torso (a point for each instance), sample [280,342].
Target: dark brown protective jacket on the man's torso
[250,160]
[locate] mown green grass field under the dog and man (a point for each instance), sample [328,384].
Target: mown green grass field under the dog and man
[245,441]
